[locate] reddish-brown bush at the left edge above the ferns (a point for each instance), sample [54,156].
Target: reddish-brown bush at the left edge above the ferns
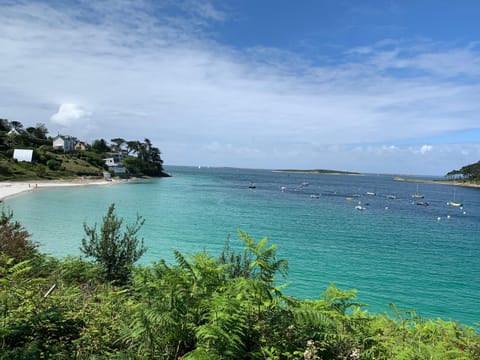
[14,239]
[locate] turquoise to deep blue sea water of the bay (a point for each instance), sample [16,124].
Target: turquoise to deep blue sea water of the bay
[425,258]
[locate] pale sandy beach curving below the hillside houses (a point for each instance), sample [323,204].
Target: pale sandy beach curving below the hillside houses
[11,188]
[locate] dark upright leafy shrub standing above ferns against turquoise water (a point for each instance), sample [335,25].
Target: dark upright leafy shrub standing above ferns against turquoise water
[115,251]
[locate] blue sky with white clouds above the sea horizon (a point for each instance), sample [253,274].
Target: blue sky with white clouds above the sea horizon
[380,86]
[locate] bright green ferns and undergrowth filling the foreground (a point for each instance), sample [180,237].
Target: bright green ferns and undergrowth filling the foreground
[199,307]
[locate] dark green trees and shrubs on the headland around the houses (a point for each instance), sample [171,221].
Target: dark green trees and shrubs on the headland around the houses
[138,158]
